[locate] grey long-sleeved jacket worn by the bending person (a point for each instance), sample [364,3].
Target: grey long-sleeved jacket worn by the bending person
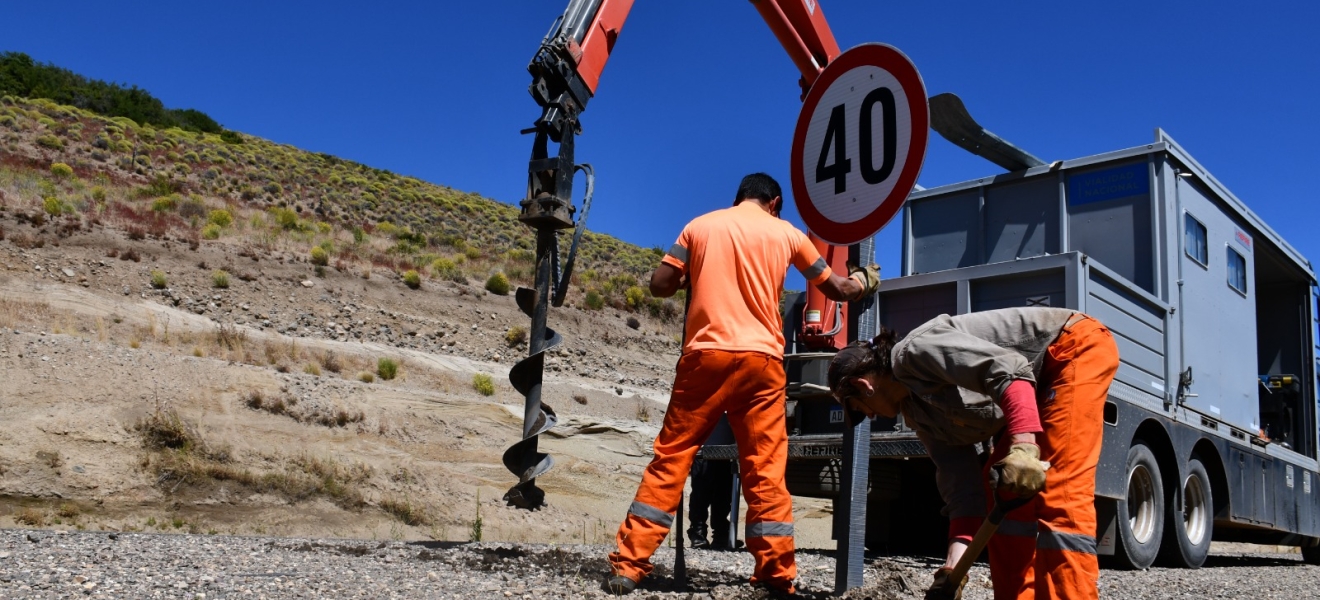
[958,369]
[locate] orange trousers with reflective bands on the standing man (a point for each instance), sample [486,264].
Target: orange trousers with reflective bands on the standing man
[749,387]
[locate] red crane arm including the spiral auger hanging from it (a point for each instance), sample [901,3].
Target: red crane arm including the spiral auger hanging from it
[566,75]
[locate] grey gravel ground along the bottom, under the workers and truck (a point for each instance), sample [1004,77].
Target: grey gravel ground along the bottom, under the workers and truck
[47,565]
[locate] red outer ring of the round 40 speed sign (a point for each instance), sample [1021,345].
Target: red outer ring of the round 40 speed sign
[897,64]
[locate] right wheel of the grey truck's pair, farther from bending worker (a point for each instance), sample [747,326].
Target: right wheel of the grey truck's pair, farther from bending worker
[1189,528]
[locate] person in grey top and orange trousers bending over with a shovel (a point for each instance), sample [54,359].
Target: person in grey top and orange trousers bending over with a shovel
[1037,382]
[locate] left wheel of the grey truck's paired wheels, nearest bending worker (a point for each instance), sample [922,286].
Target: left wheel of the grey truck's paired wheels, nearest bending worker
[1141,515]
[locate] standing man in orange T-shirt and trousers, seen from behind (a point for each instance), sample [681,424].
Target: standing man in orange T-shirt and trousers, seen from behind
[733,262]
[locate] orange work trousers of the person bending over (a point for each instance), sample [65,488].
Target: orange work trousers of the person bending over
[1047,548]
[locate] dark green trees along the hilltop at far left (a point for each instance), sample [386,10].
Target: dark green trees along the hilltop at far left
[20,76]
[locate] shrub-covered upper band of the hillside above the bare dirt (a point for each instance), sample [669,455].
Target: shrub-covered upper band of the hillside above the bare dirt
[364,218]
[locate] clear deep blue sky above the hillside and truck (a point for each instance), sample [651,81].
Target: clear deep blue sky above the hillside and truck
[700,93]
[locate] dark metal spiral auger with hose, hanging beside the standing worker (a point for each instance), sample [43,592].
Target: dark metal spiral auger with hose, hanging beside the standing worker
[552,280]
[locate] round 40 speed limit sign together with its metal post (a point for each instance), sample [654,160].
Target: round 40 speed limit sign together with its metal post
[857,152]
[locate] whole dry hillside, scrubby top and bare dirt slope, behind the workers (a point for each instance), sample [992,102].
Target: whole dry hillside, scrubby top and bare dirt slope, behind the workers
[213,337]
